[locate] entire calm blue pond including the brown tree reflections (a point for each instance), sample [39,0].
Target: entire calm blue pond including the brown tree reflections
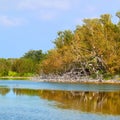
[28,100]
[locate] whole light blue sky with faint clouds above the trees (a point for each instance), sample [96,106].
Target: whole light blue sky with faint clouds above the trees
[33,24]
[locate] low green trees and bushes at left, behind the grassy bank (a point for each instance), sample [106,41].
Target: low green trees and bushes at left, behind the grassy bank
[25,66]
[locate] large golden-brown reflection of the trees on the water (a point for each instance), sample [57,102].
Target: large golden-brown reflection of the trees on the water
[93,102]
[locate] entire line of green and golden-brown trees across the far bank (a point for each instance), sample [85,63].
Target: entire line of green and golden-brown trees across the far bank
[93,48]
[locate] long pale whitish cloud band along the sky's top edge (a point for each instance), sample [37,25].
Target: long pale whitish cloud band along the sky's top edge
[45,4]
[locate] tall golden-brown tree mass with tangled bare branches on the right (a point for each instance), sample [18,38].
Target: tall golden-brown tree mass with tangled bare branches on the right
[94,47]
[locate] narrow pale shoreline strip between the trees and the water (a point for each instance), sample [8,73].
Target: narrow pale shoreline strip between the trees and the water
[84,80]
